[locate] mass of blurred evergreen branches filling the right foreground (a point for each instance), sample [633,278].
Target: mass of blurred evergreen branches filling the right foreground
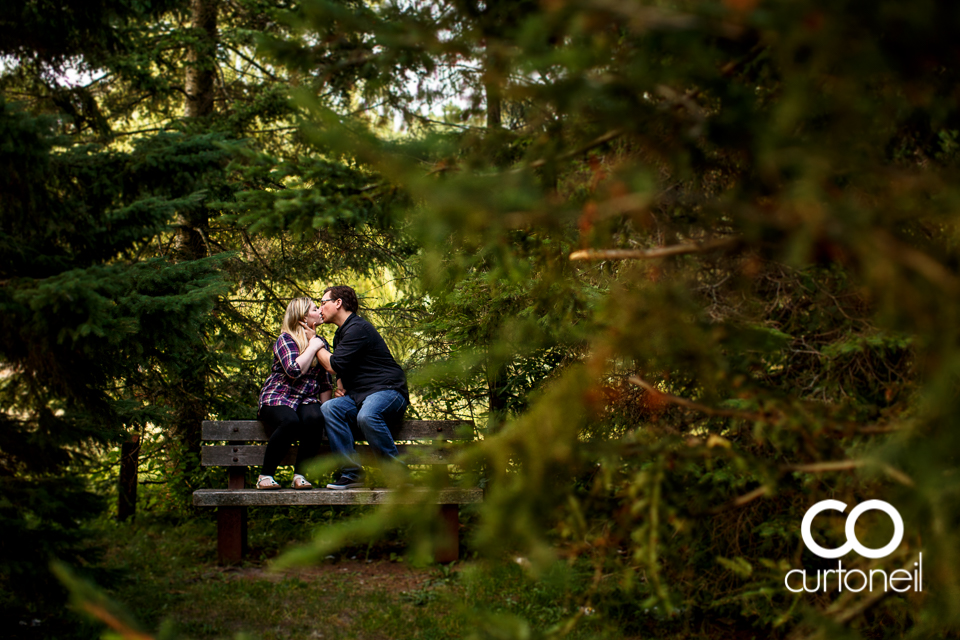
[794,342]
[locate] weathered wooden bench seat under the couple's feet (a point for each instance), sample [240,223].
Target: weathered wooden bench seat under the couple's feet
[318,497]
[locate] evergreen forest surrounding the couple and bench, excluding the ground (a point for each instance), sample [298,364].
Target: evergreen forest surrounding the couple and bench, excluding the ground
[690,265]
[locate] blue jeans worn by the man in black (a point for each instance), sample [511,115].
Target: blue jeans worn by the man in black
[371,422]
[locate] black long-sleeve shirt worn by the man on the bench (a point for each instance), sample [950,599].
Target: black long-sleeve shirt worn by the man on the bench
[363,361]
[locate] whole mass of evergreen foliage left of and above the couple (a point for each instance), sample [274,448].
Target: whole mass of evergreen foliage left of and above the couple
[133,300]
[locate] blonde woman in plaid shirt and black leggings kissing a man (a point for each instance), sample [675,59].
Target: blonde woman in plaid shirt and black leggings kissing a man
[291,397]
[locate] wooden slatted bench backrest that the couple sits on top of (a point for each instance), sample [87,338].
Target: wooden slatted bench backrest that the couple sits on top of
[417,438]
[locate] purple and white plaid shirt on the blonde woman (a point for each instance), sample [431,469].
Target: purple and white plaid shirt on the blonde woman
[287,385]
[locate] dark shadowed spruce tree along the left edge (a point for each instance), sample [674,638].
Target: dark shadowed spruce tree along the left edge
[82,316]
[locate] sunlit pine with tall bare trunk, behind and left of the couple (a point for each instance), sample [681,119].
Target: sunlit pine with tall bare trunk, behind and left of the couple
[301,218]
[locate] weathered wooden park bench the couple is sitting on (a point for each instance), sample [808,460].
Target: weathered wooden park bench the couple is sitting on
[237,454]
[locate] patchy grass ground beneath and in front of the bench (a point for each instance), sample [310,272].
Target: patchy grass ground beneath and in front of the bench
[165,576]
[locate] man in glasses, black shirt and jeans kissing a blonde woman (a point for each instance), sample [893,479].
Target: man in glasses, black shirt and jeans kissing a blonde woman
[371,387]
